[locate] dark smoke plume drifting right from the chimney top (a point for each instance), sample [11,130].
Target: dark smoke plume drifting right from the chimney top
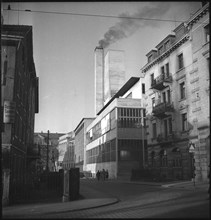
[127,26]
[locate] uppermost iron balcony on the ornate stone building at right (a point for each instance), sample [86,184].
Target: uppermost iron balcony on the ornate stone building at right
[161,82]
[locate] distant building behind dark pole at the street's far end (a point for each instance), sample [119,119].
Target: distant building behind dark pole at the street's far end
[47,146]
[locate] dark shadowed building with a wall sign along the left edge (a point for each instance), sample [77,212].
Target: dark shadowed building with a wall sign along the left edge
[19,102]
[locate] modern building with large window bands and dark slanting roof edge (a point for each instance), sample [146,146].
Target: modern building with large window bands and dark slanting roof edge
[116,138]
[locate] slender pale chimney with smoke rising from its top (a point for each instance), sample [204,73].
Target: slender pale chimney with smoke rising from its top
[99,78]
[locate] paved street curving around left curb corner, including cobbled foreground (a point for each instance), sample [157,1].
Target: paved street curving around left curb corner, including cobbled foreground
[140,201]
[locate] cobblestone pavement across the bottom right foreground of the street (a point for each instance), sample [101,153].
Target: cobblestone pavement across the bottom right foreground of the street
[184,207]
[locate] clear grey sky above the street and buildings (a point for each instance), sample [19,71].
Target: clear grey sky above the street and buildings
[65,35]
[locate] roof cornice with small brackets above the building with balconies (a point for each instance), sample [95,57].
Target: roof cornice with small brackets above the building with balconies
[166,53]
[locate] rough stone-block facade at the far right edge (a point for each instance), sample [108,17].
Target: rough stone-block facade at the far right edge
[198,26]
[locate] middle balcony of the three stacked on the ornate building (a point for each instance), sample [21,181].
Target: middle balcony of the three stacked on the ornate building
[162,109]
